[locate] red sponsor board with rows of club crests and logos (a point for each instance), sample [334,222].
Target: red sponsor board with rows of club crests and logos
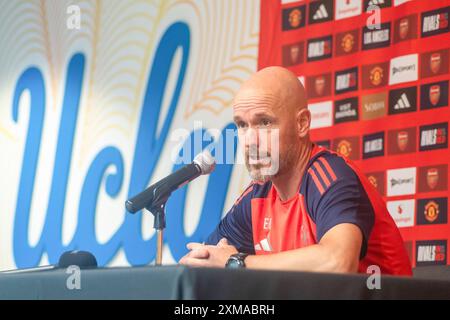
[377,75]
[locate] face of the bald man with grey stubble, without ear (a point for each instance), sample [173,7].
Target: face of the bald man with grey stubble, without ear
[266,133]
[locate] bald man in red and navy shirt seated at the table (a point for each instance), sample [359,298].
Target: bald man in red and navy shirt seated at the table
[315,212]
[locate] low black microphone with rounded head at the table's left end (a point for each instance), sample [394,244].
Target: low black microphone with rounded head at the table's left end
[82,259]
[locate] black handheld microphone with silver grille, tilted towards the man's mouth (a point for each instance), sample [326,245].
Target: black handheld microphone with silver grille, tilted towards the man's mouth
[157,194]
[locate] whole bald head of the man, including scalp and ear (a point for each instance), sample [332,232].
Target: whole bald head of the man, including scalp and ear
[273,121]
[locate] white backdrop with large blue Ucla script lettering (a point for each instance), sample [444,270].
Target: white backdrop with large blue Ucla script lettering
[88,116]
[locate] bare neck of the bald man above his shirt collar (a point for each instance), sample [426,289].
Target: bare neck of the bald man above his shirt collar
[288,183]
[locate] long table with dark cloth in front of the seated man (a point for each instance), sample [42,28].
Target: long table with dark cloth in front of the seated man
[177,282]
